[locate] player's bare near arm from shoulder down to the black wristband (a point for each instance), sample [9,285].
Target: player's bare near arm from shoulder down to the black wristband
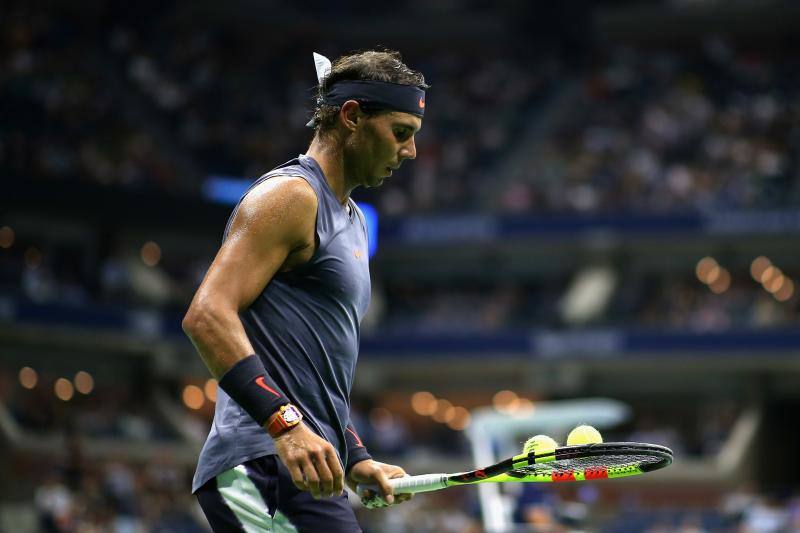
[273,228]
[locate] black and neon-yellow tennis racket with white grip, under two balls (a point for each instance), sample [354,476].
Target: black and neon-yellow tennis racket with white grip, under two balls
[587,462]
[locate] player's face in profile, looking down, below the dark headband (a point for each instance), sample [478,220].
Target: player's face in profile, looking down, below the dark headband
[380,144]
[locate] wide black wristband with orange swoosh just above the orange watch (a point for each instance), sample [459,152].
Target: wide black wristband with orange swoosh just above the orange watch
[249,385]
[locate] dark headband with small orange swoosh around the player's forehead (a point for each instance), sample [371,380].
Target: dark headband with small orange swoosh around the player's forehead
[378,94]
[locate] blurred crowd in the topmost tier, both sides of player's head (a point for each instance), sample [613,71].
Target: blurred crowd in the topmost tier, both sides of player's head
[151,102]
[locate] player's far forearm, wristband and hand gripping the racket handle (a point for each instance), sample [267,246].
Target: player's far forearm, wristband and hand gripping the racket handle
[361,468]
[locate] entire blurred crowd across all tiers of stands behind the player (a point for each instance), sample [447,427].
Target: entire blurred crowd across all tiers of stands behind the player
[145,100]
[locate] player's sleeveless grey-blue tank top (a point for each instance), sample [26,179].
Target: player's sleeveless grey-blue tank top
[305,328]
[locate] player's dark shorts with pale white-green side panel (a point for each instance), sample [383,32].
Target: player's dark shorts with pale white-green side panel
[259,496]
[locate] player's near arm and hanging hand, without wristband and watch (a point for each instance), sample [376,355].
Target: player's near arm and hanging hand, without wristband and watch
[273,227]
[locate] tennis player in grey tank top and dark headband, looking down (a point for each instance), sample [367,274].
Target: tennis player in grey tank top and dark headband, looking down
[276,319]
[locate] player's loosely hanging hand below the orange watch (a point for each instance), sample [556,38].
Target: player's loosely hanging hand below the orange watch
[312,462]
